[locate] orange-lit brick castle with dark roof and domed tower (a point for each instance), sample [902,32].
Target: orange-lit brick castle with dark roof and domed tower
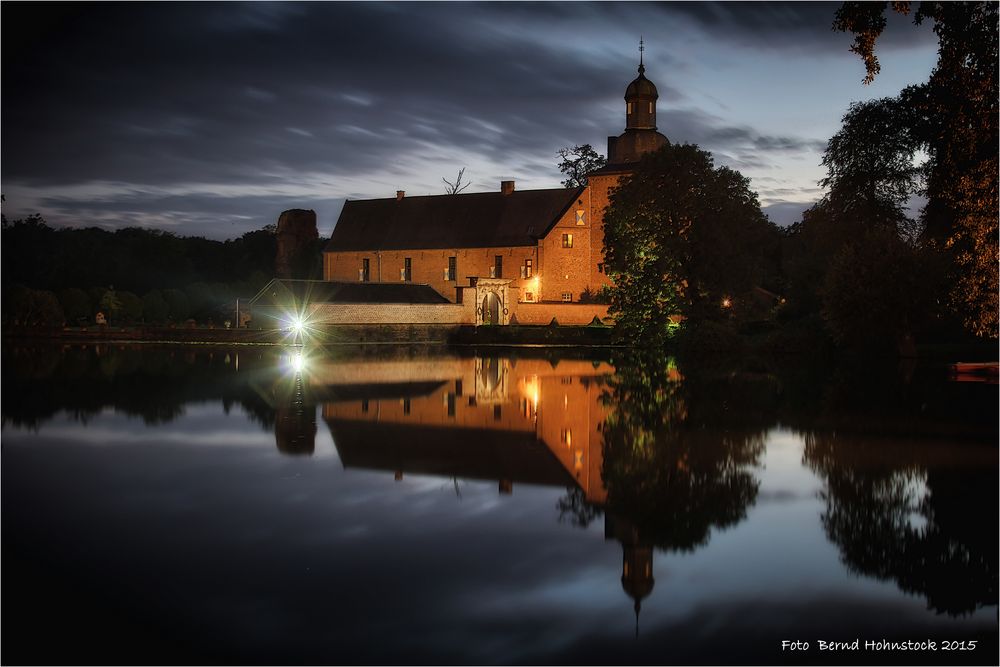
[530,246]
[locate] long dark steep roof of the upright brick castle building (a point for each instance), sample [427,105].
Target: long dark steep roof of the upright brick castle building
[477,220]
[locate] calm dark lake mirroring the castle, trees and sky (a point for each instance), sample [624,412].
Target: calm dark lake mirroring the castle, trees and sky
[259,505]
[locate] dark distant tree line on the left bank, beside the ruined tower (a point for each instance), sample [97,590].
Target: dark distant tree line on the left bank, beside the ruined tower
[65,276]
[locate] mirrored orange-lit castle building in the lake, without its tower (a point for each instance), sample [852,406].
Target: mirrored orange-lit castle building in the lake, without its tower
[511,421]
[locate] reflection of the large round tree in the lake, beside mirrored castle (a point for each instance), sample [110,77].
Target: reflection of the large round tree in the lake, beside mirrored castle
[670,470]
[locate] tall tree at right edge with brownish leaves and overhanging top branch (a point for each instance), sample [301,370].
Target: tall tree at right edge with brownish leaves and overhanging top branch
[955,117]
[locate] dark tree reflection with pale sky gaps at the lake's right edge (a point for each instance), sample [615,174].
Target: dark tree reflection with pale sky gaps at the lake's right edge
[922,515]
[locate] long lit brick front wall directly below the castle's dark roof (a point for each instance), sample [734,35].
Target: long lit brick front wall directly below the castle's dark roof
[428,266]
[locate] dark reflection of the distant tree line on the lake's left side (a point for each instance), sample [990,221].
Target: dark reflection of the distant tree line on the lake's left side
[151,383]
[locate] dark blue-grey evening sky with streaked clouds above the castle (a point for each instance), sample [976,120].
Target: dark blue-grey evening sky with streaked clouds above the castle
[211,119]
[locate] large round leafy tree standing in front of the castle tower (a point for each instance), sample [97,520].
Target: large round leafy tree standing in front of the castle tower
[682,237]
